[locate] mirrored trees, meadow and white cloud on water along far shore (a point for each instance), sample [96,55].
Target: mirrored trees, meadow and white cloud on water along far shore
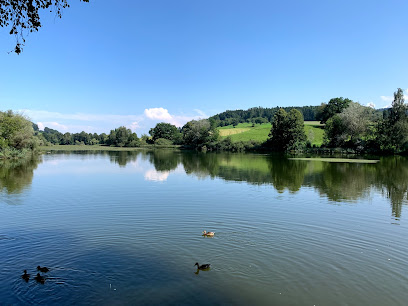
[336,181]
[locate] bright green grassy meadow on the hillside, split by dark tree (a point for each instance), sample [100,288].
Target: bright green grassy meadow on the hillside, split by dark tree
[244,132]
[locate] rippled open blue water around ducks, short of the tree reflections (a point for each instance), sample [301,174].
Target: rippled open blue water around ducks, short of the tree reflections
[101,233]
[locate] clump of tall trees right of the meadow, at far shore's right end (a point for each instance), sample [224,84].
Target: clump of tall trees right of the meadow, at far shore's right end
[351,125]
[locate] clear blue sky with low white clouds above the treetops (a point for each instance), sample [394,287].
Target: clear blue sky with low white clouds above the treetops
[135,63]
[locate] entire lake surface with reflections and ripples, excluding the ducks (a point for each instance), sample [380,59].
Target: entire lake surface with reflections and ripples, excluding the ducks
[125,228]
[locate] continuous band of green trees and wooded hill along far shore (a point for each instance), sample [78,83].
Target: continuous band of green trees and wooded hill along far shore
[347,125]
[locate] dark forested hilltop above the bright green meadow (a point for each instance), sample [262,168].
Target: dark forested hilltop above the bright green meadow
[259,115]
